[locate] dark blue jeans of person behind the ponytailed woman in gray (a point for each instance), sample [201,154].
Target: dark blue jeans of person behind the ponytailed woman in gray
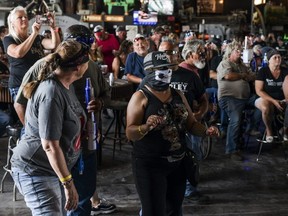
[85,184]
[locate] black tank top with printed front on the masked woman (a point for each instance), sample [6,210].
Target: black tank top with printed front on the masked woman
[166,139]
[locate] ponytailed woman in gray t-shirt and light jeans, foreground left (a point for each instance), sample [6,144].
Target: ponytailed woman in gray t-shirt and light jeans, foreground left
[42,160]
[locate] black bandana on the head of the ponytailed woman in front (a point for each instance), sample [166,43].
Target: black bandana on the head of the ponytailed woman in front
[81,57]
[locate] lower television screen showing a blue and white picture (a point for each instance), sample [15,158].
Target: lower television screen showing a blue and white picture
[142,18]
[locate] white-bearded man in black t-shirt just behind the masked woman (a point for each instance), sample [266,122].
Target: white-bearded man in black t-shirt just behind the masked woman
[186,79]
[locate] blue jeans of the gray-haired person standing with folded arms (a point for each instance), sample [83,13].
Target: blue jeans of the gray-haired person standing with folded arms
[234,108]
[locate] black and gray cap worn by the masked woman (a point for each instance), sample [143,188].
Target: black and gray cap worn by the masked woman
[156,60]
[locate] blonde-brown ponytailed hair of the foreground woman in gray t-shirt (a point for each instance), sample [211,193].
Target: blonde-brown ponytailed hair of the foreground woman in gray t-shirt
[66,51]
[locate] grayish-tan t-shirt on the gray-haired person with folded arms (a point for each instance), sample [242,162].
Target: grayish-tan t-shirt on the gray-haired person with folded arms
[239,89]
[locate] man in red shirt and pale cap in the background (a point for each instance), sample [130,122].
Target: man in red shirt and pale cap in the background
[108,44]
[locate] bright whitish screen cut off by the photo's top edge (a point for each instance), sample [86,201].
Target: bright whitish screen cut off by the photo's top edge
[162,7]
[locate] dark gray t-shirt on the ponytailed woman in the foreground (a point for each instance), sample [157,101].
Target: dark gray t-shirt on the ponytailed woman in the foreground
[53,113]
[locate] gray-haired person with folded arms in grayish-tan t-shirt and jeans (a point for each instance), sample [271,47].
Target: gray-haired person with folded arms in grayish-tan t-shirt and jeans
[234,94]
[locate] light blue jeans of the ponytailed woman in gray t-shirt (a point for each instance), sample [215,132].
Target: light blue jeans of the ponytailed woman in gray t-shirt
[44,195]
